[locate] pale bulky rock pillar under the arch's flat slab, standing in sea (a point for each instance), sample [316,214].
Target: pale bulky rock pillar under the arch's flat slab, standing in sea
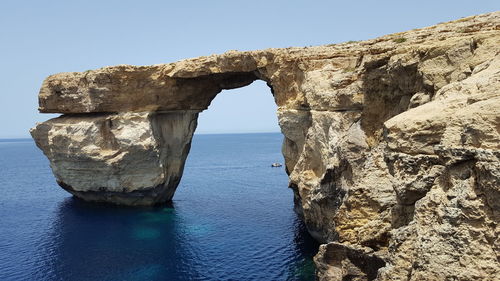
[123,158]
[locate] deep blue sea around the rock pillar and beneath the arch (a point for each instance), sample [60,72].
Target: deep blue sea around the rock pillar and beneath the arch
[231,219]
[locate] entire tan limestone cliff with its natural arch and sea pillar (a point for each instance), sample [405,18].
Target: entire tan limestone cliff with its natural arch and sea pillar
[391,144]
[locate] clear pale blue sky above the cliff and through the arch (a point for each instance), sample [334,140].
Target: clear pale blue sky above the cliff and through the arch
[39,38]
